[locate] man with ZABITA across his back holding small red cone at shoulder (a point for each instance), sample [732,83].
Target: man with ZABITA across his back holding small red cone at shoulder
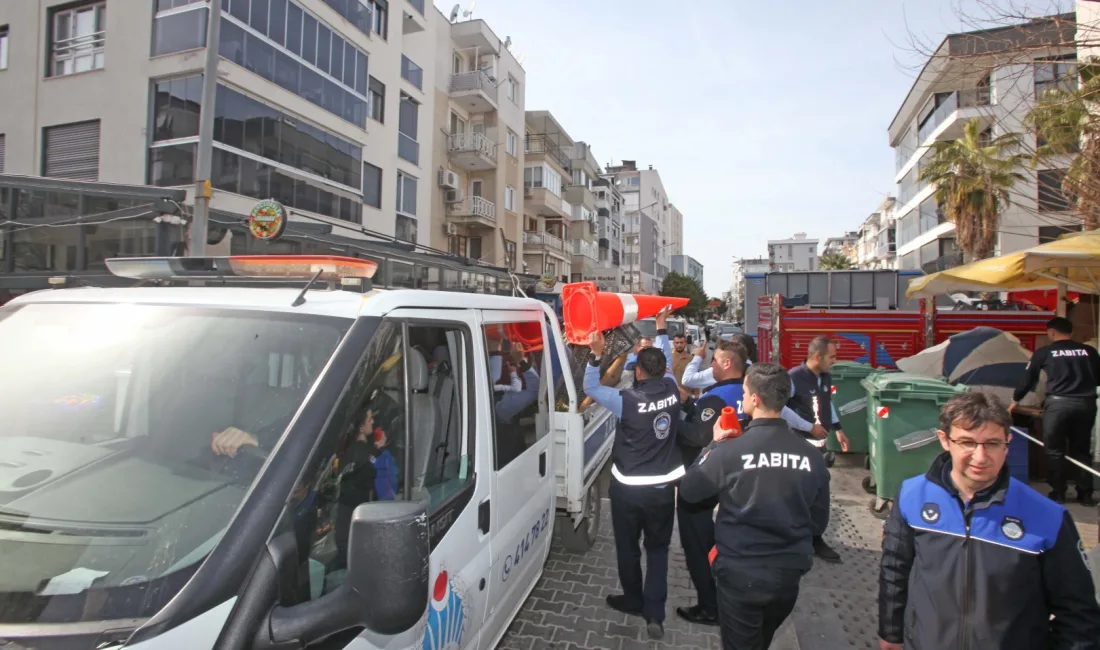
[773,490]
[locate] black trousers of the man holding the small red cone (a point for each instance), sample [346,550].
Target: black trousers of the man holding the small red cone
[753,602]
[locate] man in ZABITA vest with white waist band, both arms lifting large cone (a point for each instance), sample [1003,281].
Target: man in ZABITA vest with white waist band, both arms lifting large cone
[646,462]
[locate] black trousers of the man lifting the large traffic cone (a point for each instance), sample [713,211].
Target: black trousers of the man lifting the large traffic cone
[639,510]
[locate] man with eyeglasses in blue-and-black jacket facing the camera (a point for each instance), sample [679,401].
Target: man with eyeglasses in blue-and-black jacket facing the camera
[975,559]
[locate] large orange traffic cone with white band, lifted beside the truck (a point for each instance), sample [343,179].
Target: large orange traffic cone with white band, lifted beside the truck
[587,310]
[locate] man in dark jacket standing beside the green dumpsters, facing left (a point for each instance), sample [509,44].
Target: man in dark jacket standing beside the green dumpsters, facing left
[811,401]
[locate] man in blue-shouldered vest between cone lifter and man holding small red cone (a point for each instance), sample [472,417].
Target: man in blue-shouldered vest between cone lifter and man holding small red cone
[697,520]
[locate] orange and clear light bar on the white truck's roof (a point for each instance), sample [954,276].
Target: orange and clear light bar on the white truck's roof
[332,268]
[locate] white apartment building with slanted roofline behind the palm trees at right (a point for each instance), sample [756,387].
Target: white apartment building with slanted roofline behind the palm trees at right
[1018,64]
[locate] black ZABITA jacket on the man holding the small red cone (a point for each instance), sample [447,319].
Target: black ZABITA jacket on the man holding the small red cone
[773,491]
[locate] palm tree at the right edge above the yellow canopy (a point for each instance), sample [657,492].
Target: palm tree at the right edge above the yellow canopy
[1068,124]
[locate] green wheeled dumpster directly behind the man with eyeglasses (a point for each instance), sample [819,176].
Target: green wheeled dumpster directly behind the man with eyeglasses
[903,420]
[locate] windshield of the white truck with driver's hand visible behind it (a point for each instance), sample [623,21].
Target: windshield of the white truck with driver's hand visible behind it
[130,437]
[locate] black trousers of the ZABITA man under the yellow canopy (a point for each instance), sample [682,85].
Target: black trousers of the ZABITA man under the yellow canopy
[1068,427]
